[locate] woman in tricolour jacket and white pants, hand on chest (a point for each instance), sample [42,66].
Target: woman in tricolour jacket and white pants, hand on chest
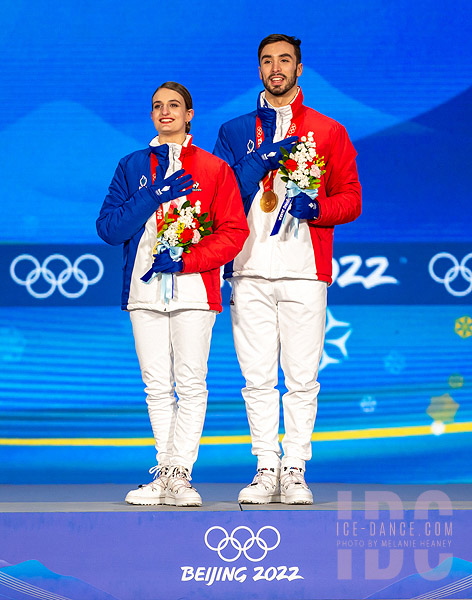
[172,329]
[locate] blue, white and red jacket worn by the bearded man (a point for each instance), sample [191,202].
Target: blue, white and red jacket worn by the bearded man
[308,256]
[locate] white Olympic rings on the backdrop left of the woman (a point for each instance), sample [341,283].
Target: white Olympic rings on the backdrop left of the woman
[56,281]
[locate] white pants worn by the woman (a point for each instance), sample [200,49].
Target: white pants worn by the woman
[173,349]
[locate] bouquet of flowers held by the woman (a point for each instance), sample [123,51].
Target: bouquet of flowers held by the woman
[177,230]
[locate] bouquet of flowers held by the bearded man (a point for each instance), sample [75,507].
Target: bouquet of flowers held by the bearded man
[301,169]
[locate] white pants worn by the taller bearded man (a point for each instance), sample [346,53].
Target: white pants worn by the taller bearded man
[283,319]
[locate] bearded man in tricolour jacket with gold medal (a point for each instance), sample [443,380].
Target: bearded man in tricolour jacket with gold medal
[280,281]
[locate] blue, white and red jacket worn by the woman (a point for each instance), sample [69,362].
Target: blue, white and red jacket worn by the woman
[128,217]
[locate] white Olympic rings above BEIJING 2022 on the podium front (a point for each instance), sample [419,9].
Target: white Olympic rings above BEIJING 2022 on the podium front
[242,547]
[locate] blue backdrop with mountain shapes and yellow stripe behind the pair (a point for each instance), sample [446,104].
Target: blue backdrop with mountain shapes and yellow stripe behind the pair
[396,395]
